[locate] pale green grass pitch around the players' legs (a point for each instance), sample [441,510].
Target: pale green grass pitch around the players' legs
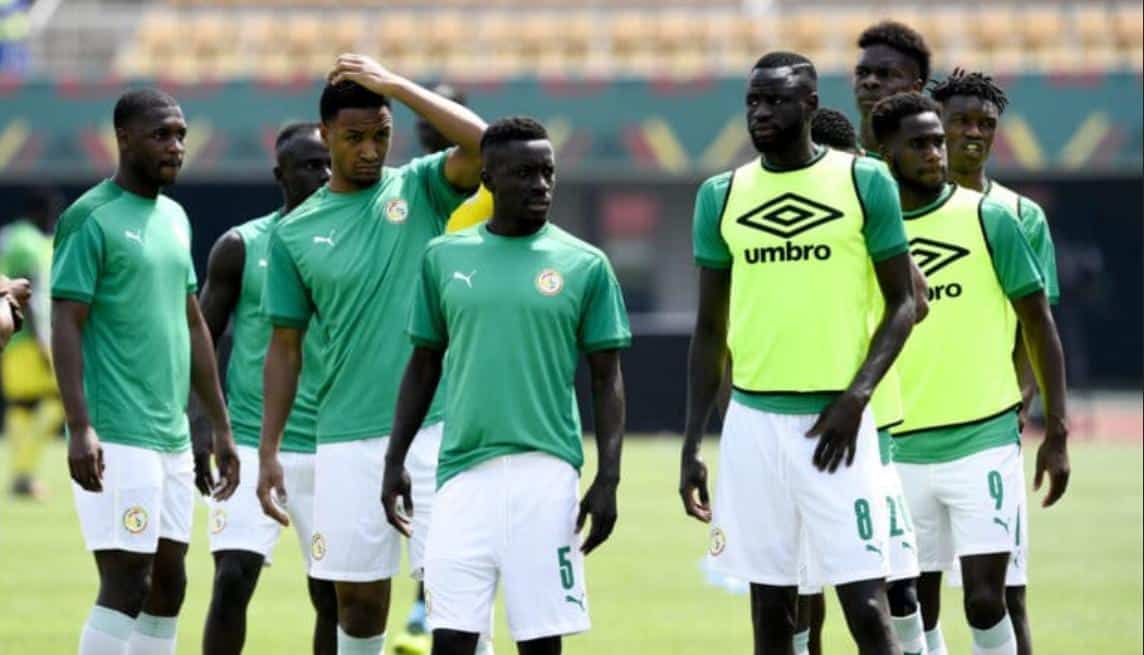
[647,588]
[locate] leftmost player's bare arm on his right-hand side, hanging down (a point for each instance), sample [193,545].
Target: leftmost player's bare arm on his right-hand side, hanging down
[205,384]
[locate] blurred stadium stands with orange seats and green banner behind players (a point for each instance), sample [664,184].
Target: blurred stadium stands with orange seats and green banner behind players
[643,101]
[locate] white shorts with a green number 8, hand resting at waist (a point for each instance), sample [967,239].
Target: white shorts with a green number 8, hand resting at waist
[769,492]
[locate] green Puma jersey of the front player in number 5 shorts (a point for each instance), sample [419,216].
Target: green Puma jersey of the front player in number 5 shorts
[514,315]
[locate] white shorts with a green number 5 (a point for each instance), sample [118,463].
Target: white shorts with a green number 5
[511,521]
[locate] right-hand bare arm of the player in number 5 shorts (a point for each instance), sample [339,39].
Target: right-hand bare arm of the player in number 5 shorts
[609,410]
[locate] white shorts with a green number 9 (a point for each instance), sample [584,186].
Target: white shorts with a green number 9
[967,507]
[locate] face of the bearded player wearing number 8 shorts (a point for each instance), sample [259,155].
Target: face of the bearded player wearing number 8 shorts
[780,106]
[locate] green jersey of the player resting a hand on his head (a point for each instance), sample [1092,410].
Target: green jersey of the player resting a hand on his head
[352,260]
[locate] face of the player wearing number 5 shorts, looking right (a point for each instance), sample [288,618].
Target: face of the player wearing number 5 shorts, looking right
[522,177]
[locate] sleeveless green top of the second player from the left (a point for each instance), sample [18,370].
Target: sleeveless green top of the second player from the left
[252,338]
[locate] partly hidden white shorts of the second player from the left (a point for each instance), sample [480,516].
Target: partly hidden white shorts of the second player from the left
[240,523]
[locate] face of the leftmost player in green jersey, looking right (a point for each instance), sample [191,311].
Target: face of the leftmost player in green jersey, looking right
[154,145]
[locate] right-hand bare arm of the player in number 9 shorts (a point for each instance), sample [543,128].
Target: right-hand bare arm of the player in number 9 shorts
[1048,362]
